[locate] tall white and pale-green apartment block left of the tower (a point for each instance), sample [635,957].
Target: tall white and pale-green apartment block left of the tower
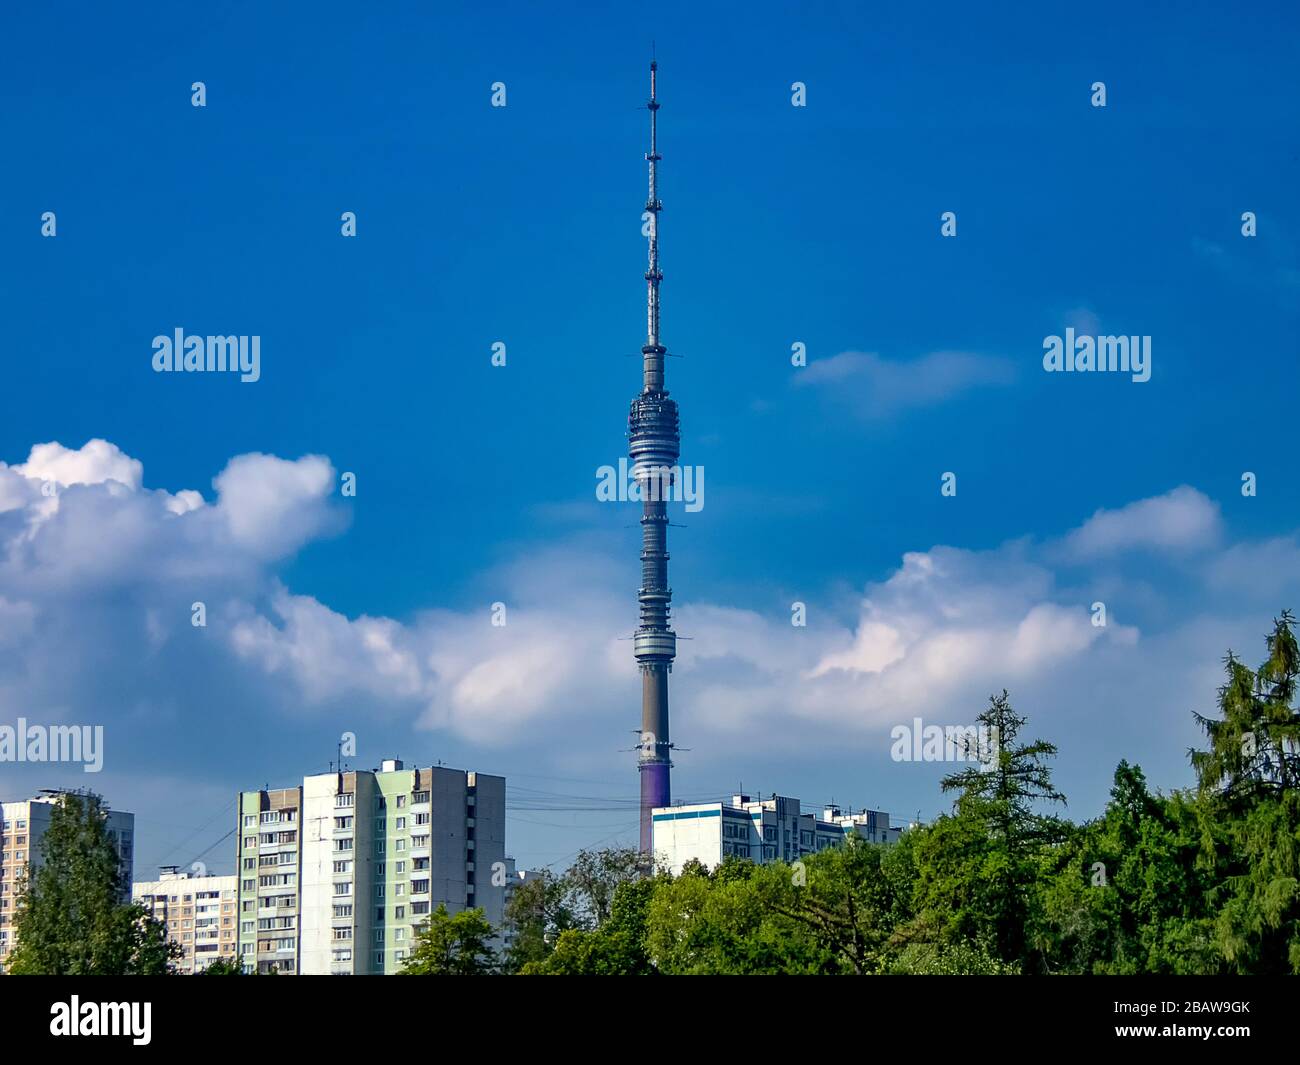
[337,876]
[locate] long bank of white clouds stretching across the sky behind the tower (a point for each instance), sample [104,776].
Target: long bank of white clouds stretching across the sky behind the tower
[97,582]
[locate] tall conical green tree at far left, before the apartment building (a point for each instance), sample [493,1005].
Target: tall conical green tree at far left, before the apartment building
[71,917]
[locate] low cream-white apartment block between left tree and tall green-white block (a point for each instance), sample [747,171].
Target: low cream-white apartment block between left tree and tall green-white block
[200,914]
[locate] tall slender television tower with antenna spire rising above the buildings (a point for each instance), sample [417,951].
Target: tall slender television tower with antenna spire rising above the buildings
[655,434]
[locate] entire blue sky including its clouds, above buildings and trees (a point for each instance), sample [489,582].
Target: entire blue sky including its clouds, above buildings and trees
[476,484]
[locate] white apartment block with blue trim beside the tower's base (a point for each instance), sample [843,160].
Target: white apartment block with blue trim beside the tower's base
[764,830]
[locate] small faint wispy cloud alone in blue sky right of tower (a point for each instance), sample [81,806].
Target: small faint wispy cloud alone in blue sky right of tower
[874,387]
